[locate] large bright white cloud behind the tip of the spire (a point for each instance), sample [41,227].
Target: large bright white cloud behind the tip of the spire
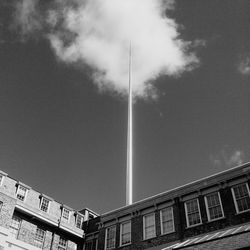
[99,32]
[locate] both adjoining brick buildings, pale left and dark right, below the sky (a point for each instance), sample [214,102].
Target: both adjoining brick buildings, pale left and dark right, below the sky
[210,213]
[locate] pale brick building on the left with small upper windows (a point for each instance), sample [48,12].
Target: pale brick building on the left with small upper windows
[30,220]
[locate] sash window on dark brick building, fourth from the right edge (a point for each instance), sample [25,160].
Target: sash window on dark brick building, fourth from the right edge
[167,220]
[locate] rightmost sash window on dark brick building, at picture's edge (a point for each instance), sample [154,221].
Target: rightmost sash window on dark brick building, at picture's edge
[241,197]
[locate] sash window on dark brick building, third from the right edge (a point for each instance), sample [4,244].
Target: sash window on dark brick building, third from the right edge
[193,215]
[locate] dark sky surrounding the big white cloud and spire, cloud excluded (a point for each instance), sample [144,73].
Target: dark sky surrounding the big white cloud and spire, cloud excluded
[63,137]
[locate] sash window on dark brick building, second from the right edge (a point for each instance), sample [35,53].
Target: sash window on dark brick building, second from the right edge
[213,206]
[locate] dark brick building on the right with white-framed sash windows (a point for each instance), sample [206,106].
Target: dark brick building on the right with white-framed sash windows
[211,213]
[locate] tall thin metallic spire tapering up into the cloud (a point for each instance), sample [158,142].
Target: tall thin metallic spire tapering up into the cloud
[129,179]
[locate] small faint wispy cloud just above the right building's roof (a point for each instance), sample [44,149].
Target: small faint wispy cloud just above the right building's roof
[227,157]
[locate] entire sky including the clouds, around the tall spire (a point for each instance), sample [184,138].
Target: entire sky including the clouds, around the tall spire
[63,94]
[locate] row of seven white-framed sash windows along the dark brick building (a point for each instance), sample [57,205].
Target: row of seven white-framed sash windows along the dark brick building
[214,209]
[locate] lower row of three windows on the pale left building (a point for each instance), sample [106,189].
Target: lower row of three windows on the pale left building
[39,237]
